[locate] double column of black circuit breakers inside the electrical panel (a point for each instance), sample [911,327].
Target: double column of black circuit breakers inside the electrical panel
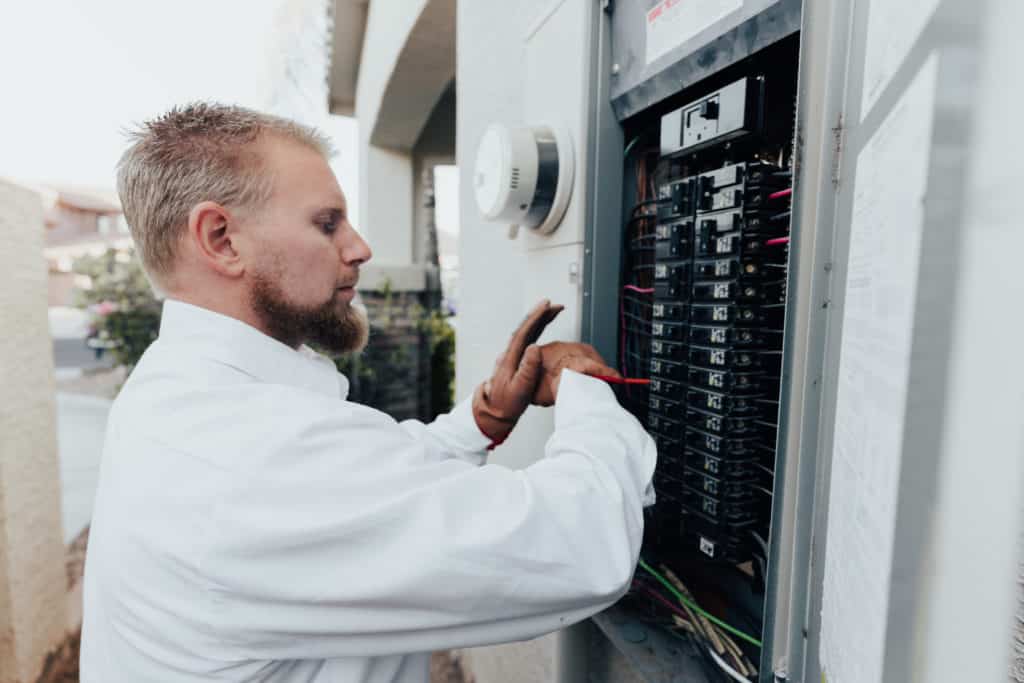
[716,350]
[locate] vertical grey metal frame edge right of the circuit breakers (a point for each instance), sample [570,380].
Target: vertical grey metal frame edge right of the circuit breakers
[801,465]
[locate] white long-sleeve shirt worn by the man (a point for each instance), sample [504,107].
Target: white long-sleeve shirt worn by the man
[252,525]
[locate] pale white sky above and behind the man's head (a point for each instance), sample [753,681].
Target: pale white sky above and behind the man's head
[75,74]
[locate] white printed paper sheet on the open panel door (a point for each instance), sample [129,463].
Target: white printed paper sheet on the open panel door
[875,360]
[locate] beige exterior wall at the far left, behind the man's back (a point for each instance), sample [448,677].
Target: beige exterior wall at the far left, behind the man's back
[32,569]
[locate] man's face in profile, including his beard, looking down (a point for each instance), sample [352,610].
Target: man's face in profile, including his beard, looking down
[306,255]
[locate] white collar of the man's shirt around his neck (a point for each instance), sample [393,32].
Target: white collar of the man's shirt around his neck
[242,347]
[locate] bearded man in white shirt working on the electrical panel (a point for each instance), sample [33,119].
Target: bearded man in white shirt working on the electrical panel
[251,525]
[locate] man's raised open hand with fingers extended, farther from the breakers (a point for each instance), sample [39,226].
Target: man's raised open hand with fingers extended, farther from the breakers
[500,402]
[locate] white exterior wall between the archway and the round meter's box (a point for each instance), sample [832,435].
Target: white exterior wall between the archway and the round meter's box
[492,269]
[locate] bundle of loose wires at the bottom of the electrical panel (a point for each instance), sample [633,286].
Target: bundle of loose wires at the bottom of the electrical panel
[713,637]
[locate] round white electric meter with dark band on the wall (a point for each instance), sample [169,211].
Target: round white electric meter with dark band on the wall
[524,176]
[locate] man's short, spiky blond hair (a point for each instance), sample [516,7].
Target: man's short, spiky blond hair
[197,153]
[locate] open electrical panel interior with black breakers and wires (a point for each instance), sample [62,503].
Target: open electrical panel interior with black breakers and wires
[708,184]
